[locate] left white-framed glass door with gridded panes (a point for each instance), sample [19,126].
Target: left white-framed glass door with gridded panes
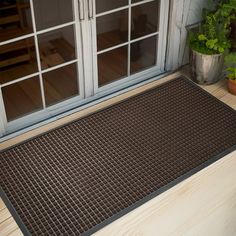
[41,71]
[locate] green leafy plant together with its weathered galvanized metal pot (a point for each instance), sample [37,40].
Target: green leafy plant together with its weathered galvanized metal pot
[208,42]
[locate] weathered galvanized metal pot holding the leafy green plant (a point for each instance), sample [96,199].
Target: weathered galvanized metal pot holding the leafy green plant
[206,69]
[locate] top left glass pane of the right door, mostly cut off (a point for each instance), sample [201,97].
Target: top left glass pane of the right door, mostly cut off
[106,5]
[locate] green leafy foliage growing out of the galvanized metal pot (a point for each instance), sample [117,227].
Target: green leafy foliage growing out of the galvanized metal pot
[212,35]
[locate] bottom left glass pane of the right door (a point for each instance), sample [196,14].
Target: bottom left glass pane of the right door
[112,65]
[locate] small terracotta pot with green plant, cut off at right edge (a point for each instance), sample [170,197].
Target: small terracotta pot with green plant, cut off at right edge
[230,62]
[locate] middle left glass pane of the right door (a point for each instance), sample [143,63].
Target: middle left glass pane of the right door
[112,29]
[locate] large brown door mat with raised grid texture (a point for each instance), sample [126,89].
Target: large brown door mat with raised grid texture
[80,177]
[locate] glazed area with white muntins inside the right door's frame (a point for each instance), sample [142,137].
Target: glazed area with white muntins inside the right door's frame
[123,37]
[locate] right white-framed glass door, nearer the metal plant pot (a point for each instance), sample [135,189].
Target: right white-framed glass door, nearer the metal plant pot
[129,41]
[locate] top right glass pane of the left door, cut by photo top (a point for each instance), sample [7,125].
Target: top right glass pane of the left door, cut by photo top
[49,13]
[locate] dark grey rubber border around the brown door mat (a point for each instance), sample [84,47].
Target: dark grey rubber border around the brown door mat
[142,201]
